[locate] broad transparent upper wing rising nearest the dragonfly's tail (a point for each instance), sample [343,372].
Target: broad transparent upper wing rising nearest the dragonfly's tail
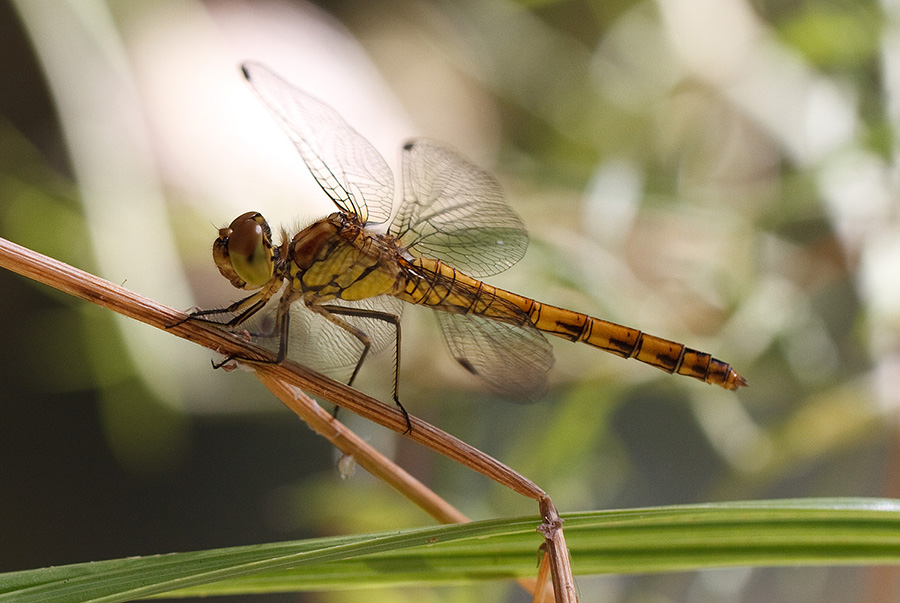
[454,211]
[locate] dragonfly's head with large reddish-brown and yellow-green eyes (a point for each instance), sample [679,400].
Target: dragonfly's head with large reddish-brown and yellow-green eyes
[243,252]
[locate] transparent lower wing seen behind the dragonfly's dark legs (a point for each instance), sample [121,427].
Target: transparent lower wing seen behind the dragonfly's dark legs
[324,347]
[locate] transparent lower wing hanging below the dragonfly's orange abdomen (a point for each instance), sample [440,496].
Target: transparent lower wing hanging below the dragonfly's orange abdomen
[512,360]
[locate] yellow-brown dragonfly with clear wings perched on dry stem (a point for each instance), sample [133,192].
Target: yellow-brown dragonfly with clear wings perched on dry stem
[339,284]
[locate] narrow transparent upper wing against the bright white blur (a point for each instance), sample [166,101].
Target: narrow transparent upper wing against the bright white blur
[346,165]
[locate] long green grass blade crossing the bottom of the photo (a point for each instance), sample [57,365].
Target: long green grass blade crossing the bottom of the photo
[792,532]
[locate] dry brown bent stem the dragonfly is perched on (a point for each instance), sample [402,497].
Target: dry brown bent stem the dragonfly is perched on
[278,377]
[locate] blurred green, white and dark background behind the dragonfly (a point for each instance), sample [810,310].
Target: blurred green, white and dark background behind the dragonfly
[718,172]
